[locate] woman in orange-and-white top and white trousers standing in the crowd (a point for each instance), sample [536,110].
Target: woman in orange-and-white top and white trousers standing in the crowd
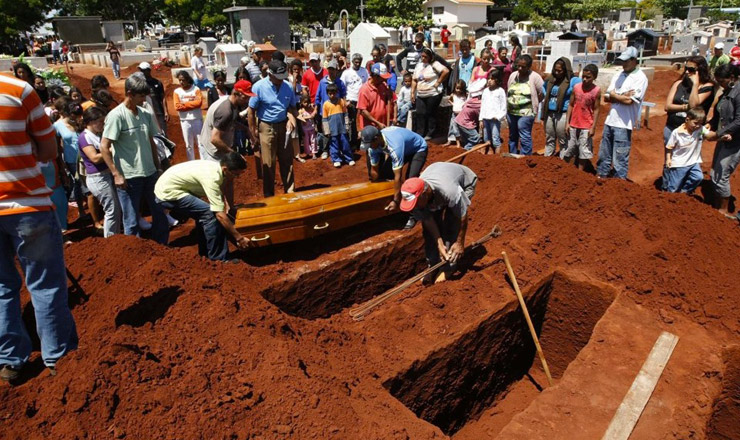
[188,102]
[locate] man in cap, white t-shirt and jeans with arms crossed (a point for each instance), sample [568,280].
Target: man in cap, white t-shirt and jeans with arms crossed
[625,93]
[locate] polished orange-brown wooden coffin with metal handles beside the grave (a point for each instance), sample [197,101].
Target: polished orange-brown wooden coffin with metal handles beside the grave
[307,214]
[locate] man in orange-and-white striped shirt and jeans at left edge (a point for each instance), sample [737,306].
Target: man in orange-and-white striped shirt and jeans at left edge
[29,230]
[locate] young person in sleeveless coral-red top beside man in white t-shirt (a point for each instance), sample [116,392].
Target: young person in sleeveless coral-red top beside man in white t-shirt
[583,112]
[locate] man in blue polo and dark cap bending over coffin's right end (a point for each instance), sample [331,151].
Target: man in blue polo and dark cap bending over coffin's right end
[388,150]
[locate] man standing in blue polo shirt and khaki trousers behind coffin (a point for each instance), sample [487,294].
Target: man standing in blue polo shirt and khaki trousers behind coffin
[274,104]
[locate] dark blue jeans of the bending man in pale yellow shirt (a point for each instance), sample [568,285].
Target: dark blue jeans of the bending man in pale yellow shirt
[211,234]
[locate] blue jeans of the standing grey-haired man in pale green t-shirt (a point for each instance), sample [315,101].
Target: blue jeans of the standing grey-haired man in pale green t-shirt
[130,198]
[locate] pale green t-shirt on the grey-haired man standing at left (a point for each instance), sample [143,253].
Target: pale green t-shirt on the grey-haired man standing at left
[129,133]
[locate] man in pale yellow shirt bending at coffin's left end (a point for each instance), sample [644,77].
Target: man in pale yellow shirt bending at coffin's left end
[180,187]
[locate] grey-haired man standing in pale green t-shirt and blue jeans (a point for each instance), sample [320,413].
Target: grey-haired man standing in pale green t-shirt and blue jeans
[131,154]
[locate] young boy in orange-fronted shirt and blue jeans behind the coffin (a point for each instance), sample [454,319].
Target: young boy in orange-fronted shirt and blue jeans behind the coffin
[335,121]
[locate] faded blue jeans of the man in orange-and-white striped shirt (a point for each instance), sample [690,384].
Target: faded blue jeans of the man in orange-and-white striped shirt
[37,241]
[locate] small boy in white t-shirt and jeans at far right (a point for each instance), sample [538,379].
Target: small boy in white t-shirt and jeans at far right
[682,170]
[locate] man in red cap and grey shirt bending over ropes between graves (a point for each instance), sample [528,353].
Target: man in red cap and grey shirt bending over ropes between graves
[440,199]
